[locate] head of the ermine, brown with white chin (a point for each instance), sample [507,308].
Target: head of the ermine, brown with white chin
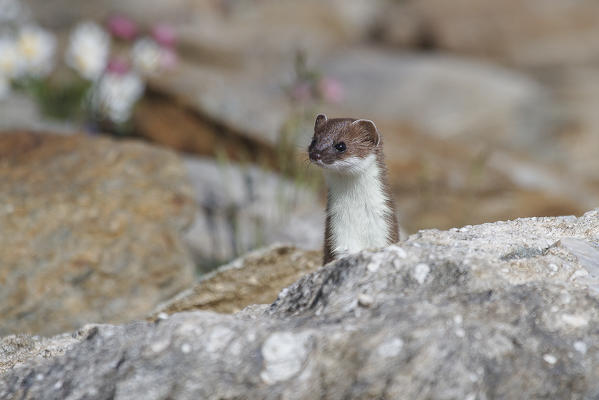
[343,145]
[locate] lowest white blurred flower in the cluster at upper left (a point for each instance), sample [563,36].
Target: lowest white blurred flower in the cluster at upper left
[116,94]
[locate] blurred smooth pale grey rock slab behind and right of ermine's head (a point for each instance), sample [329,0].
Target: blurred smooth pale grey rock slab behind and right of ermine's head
[443,96]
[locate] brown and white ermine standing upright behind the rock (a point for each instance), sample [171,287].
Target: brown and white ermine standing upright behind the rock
[360,209]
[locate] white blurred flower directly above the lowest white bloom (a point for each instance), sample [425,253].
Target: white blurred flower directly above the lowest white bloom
[88,50]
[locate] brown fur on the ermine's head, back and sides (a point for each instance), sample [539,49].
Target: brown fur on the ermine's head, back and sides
[361,140]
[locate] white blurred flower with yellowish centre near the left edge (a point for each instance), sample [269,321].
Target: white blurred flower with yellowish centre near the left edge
[36,47]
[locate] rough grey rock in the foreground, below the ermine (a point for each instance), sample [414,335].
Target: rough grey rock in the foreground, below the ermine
[501,310]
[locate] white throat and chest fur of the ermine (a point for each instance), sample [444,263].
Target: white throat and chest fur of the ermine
[357,206]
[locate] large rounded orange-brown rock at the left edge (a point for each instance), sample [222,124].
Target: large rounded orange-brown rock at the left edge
[90,230]
